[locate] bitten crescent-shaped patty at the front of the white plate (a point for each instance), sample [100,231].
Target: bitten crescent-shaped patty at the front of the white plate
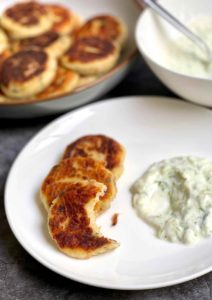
[72,221]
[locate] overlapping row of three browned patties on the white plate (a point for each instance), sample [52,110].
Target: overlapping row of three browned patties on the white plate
[80,188]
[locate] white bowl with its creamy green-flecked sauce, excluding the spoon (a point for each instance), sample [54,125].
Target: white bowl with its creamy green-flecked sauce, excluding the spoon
[174,59]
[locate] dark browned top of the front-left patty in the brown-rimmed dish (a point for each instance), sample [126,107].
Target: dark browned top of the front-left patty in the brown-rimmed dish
[23,66]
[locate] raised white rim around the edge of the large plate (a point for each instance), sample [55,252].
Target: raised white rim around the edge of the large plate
[74,277]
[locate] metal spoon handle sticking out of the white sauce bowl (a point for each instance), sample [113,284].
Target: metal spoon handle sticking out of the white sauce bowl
[179,26]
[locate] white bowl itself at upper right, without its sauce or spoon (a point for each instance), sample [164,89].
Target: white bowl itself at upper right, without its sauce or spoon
[152,34]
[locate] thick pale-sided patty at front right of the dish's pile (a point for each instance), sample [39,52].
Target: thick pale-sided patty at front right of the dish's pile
[90,56]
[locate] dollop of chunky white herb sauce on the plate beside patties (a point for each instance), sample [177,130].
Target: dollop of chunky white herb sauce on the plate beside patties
[175,197]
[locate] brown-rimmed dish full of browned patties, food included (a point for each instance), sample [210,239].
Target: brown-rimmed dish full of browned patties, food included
[55,56]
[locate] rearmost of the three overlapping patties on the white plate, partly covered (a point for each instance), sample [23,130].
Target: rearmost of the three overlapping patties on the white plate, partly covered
[100,148]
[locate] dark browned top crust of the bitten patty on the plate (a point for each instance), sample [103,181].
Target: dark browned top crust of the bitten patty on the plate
[69,223]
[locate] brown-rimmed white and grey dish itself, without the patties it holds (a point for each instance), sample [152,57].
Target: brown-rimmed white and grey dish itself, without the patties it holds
[129,13]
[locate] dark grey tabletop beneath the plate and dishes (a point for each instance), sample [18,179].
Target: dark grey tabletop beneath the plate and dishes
[22,277]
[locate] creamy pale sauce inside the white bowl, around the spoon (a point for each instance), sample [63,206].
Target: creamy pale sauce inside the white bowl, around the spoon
[183,56]
